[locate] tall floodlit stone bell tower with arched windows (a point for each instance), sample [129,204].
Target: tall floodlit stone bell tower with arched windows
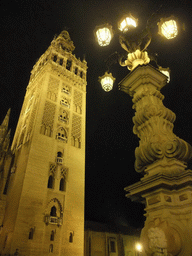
[44,211]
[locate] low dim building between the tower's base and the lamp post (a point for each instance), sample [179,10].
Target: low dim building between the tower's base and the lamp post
[105,240]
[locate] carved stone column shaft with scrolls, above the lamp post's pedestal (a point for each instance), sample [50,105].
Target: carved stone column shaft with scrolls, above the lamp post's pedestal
[153,122]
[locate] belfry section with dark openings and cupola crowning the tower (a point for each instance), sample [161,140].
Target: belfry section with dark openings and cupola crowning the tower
[60,59]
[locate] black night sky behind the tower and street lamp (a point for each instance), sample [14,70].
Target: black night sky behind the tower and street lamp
[27,28]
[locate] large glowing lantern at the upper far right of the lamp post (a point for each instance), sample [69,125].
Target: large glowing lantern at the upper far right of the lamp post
[168,27]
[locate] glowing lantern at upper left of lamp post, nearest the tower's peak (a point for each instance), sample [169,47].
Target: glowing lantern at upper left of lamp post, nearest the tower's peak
[103,34]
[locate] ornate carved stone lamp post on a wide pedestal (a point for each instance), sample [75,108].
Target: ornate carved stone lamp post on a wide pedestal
[166,188]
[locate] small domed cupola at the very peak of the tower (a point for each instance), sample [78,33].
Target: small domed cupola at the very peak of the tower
[63,42]
